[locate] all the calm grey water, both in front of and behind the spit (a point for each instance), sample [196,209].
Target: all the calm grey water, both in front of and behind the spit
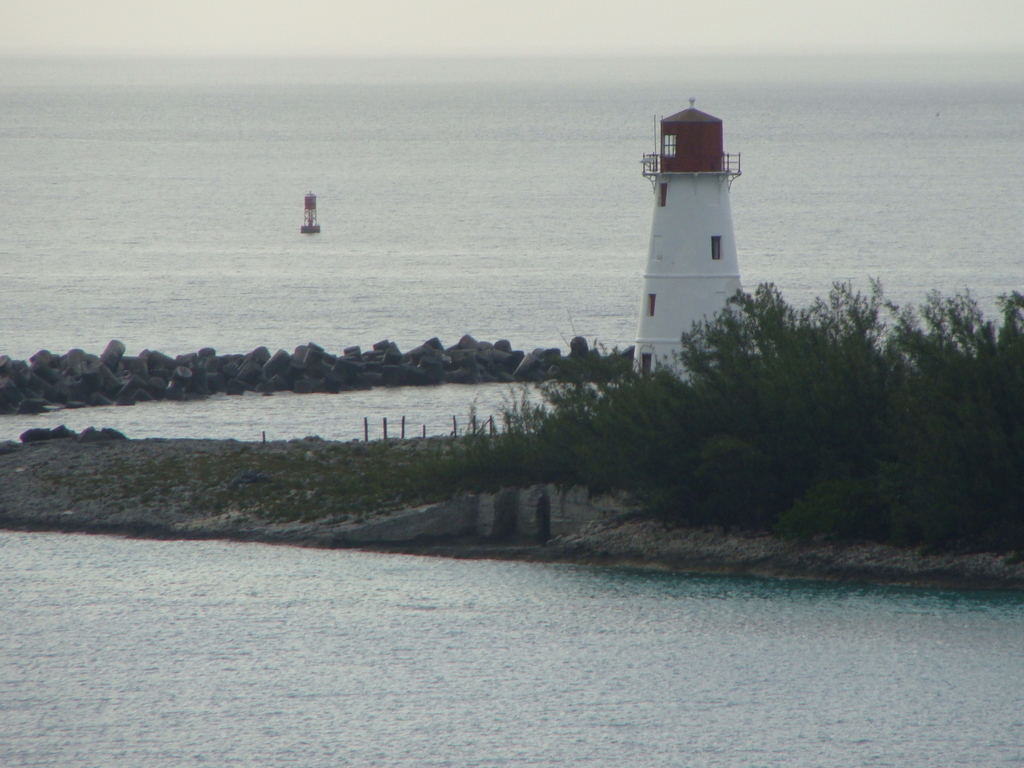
[159,203]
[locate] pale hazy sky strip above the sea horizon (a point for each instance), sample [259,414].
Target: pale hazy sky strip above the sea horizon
[525,28]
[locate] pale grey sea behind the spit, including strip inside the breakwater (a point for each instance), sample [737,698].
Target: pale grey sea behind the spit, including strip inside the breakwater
[159,203]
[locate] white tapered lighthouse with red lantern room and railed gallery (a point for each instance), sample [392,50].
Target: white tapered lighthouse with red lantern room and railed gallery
[692,263]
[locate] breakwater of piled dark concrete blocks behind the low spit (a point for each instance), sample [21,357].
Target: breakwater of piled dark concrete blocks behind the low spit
[78,379]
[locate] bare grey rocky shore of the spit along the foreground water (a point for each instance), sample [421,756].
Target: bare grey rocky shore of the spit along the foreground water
[118,487]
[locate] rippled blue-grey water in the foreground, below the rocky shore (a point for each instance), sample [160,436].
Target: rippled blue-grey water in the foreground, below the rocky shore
[118,653]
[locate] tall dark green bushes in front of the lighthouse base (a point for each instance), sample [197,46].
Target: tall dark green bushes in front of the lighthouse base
[852,419]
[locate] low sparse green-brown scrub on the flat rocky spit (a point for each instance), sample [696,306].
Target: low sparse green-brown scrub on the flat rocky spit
[306,480]
